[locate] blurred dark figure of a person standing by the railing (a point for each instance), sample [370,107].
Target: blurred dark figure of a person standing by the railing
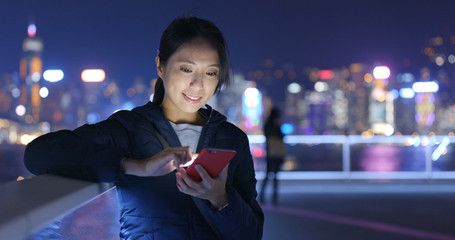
[276,151]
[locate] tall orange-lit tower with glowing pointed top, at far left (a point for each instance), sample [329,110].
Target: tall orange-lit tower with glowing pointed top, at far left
[30,72]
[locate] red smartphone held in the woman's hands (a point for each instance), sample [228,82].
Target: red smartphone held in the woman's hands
[213,160]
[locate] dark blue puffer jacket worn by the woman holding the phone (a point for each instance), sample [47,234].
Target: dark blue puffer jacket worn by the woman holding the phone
[152,207]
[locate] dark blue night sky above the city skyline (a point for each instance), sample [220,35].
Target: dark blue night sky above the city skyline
[122,36]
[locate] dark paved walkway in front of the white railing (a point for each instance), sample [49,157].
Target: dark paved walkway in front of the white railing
[360,210]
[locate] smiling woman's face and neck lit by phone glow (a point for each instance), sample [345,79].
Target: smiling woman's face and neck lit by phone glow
[190,77]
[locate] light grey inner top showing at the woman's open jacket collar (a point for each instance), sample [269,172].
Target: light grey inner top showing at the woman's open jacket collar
[188,134]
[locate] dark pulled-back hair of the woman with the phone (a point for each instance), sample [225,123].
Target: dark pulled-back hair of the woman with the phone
[183,30]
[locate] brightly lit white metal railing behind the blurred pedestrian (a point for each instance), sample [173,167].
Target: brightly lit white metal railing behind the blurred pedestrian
[440,143]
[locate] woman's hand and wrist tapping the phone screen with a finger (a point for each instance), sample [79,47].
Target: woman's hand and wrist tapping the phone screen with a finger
[159,164]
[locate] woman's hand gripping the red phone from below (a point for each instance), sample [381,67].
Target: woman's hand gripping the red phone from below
[212,189]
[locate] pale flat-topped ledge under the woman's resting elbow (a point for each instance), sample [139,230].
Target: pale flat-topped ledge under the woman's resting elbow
[31,204]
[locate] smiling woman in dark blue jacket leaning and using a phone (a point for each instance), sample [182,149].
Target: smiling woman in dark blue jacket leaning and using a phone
[127,148]
